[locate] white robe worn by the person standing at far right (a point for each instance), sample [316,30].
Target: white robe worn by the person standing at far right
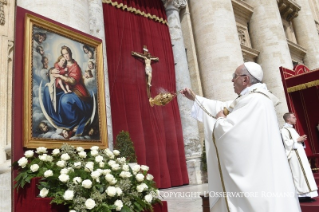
[301,171]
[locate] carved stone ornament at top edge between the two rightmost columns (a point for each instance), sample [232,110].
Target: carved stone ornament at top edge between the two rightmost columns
[288,9]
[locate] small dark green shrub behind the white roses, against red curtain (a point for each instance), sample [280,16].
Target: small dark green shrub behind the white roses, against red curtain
[125,145]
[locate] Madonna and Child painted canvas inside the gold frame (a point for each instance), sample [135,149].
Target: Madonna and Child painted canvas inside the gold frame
[64,83]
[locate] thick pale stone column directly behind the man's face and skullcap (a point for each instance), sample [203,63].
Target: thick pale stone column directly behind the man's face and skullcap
[218,47]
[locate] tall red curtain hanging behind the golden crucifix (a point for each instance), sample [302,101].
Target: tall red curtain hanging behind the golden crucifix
[156,131]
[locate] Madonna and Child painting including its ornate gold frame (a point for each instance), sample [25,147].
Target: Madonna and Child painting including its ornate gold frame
[64,96]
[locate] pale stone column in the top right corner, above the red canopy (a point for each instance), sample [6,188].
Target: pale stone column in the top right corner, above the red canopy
[307,34]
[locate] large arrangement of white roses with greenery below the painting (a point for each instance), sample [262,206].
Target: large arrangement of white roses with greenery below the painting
[98,180]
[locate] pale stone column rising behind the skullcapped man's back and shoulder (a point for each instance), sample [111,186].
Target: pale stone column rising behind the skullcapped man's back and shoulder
[268,37]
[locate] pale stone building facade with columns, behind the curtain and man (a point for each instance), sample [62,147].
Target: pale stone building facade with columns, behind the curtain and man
[210,39]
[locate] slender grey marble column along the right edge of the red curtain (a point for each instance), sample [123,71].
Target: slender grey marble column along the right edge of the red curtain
[189,125]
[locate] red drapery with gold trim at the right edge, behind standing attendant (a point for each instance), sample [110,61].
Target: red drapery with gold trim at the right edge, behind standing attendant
[304,103]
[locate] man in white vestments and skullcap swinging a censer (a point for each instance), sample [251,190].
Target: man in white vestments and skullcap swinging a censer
[247,166]
